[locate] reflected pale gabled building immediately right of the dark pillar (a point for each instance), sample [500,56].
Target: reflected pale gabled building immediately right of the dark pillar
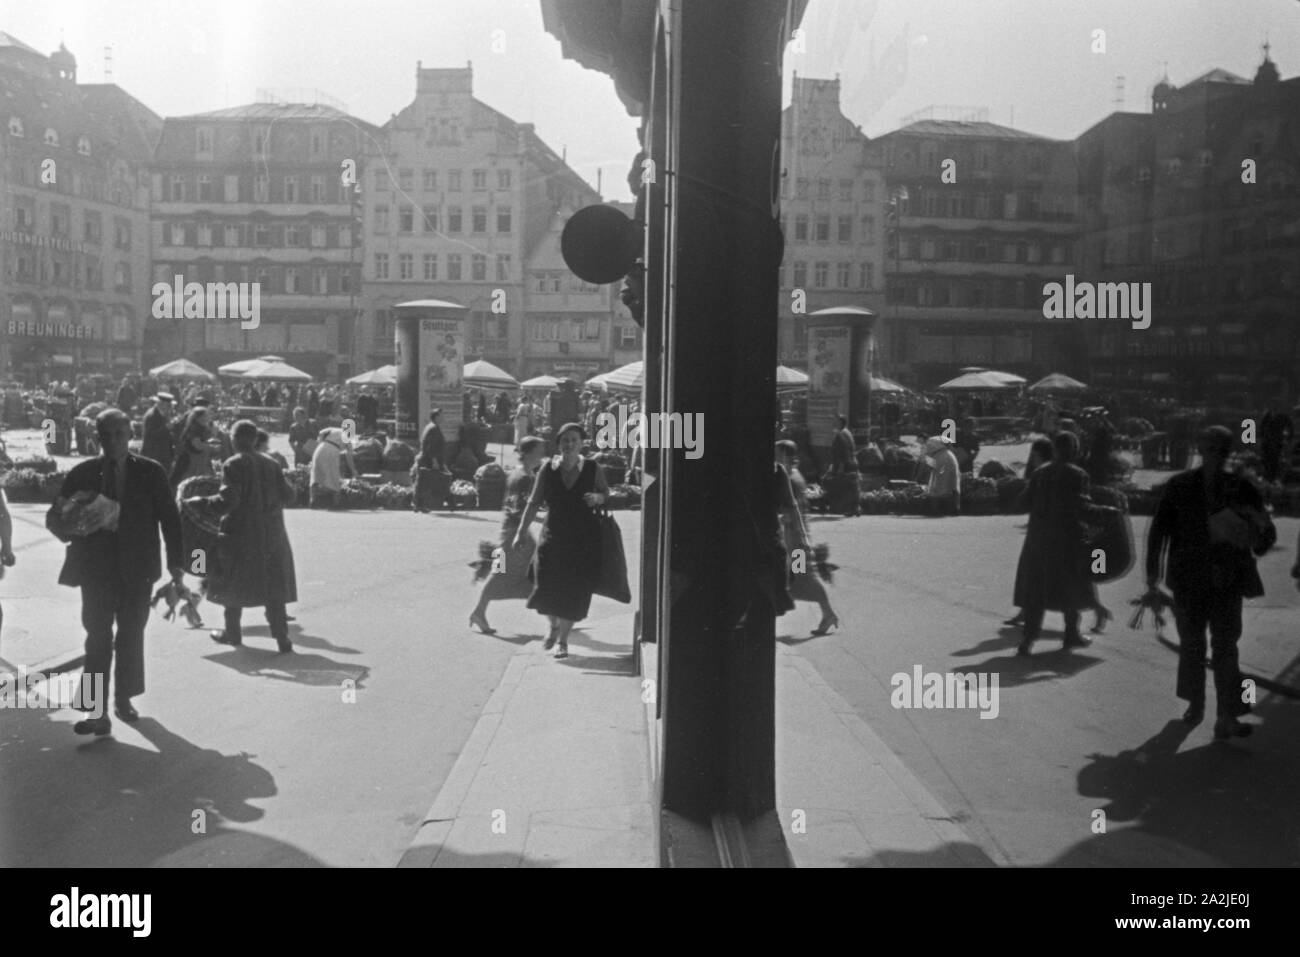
[833,215]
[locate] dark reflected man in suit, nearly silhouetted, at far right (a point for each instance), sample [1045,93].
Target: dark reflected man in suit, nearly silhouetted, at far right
[1214,525]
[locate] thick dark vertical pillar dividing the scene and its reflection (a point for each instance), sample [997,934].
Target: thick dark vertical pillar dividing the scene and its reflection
[721,360]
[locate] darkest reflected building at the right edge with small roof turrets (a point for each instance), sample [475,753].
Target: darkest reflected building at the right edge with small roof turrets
[1202,200]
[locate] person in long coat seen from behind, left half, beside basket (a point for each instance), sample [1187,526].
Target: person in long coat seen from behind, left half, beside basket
[254,566]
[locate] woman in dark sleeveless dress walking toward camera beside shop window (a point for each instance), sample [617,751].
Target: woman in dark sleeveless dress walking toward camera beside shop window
[569,555]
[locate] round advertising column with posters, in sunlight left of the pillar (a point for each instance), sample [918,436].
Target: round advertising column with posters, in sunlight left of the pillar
[431,357]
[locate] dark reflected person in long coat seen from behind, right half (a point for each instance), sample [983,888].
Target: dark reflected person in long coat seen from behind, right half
[1058,536]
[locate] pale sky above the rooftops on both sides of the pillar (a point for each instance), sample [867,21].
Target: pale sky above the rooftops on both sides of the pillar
[1039,66]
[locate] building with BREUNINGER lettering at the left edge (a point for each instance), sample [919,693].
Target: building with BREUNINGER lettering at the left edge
[75,254]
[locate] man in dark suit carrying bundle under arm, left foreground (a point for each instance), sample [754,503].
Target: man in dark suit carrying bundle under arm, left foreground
[116,566]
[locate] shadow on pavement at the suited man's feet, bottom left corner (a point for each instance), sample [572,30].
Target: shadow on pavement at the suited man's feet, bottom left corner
[99,803]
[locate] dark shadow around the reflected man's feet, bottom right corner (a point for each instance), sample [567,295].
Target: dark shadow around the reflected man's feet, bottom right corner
[1217,804]
